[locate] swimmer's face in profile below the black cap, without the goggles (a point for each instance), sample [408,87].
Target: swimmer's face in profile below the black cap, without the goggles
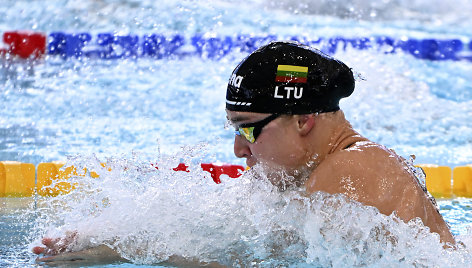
[278,145]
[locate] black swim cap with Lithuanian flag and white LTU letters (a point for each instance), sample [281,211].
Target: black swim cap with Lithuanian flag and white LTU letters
[288,78]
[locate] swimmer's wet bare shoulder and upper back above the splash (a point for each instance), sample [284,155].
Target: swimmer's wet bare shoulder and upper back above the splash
[376,176]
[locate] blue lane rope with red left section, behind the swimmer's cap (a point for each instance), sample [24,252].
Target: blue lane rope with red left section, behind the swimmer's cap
[117,46]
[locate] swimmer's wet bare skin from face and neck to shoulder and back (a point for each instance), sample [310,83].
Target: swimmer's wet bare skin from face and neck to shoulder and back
[339,160]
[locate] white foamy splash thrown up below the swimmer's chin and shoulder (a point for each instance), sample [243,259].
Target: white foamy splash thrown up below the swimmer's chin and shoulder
[150,214]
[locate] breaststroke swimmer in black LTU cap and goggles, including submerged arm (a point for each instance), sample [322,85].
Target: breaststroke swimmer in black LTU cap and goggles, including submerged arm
[283,101]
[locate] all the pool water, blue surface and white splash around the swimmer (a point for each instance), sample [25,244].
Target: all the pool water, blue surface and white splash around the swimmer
[134,111]
